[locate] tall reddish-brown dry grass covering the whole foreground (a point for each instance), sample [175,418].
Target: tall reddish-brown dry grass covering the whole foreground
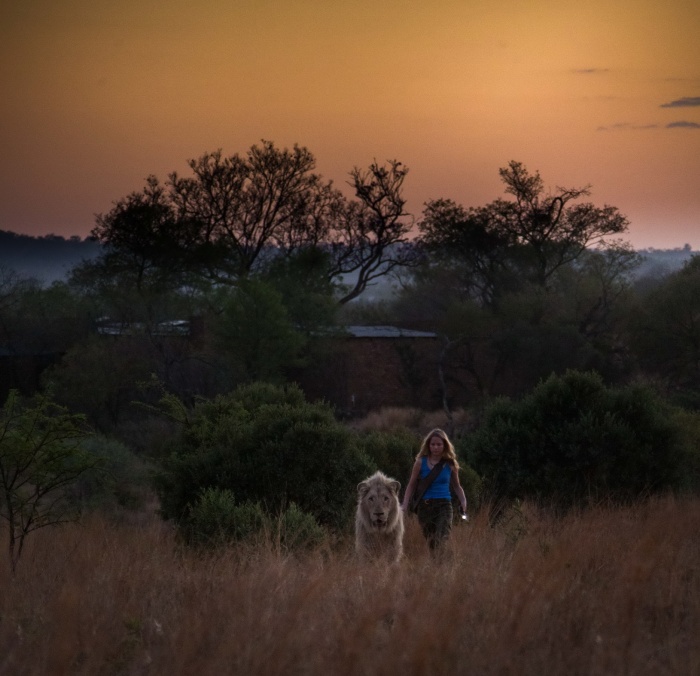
[608,591]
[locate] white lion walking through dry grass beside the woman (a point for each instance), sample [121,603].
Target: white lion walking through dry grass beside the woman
[379,520]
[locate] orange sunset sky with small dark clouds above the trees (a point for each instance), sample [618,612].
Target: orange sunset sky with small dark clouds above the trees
[98,95]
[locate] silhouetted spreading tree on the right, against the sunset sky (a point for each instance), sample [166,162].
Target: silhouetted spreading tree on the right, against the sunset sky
[528,239]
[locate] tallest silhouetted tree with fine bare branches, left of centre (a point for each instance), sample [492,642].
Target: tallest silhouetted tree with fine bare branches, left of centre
[245,208]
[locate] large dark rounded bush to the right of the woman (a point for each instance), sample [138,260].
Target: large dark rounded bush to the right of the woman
[573,440]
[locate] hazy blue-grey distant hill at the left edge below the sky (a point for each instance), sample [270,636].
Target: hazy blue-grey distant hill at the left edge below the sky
[48,258]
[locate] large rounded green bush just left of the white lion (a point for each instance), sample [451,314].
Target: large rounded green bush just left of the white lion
[267,445]
